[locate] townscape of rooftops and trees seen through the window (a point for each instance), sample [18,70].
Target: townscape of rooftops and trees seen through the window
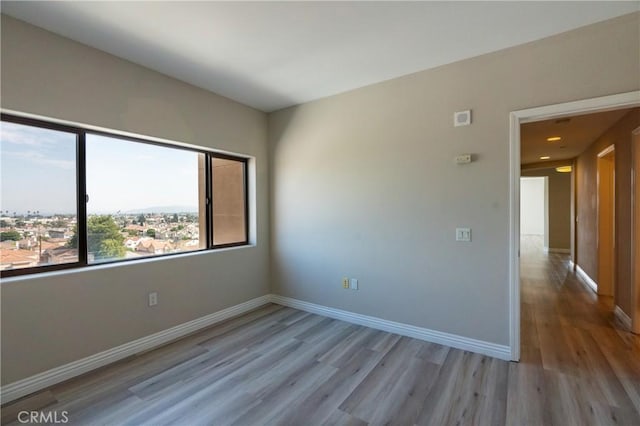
[34,240]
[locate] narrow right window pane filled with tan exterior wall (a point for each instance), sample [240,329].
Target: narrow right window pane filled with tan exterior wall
[229,221]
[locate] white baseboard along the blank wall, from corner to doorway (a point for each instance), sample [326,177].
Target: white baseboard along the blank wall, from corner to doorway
[453,340]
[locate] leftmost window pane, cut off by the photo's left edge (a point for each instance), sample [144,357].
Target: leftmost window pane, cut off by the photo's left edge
[38,201]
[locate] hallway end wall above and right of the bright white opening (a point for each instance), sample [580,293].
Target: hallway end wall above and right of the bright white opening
[559,207]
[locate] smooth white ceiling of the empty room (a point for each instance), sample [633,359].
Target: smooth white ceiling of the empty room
[271,55]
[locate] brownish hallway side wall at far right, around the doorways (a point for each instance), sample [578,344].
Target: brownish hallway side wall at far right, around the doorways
[586,186]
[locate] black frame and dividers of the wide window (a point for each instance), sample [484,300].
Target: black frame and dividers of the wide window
[82,196]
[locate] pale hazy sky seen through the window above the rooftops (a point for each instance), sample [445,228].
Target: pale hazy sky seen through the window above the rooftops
[38,172]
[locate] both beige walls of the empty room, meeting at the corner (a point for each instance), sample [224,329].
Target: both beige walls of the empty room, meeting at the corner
[363,185]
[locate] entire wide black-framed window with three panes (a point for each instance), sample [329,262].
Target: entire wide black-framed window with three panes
[139,198]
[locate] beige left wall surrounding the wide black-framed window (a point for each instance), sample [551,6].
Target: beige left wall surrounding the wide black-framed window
[54,319]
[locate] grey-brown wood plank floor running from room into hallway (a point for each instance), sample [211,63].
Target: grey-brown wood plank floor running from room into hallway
[282,366]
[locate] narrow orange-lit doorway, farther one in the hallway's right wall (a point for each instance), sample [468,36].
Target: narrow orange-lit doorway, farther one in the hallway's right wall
[606,221]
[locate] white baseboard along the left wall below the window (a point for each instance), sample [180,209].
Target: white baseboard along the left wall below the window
[59,374]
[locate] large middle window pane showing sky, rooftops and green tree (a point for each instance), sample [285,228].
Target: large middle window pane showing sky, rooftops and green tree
[144,199]
